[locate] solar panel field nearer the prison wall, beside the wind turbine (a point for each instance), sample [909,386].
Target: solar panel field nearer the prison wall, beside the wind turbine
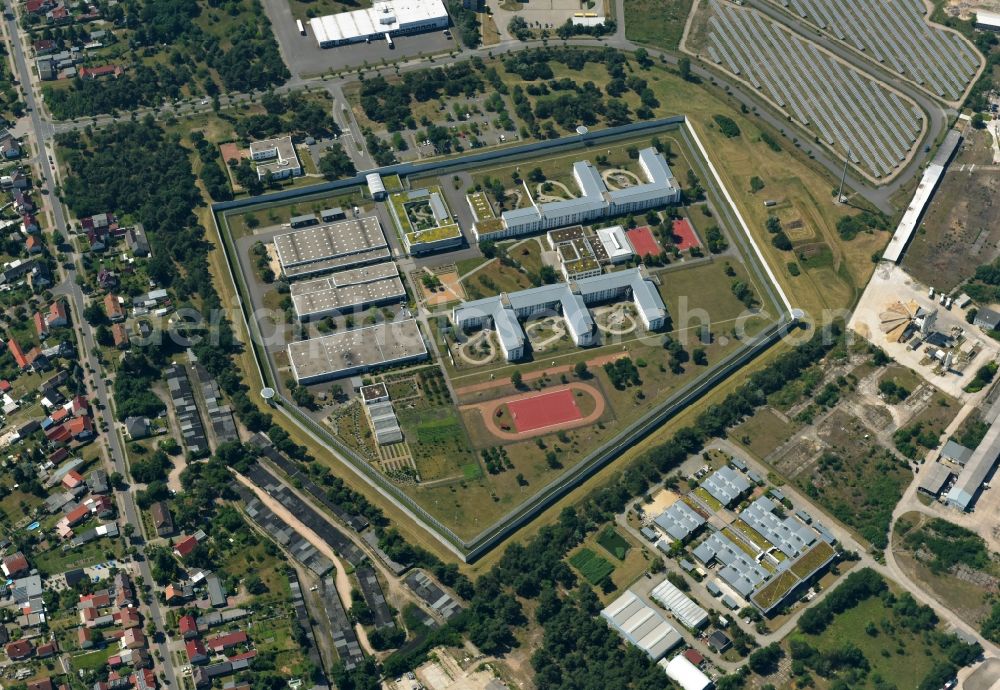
[875,127]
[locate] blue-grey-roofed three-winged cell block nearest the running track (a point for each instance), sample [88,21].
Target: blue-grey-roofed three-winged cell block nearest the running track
[504,312]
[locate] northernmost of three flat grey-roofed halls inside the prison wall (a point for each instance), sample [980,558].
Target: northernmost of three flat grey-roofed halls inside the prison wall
[324,248]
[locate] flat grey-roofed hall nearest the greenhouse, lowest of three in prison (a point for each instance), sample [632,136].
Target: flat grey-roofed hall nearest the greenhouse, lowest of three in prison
[353,352]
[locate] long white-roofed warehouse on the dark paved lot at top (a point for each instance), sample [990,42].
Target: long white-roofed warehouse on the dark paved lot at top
[381,21]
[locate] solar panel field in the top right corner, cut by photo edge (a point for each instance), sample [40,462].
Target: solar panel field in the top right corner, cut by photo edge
[895,34]
